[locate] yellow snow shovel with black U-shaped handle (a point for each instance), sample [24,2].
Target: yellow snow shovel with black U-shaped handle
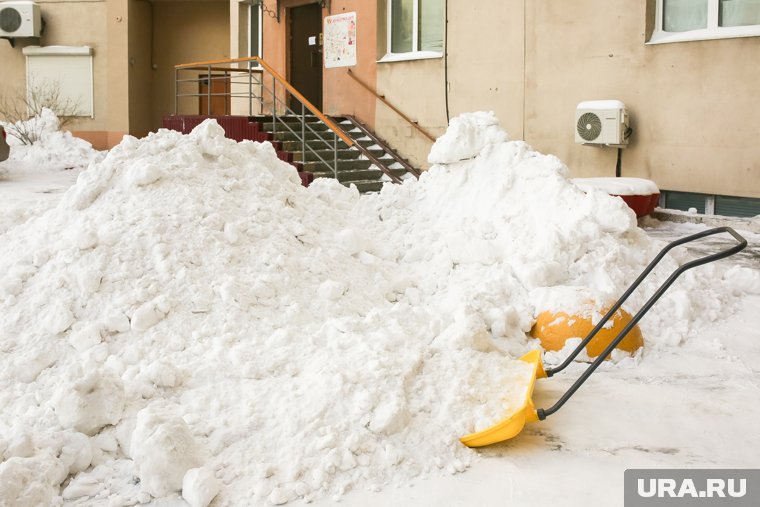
[513,424]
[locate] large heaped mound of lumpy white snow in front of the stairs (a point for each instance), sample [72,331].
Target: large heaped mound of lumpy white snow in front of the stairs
[191,320]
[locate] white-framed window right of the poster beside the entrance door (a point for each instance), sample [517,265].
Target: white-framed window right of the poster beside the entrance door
[415,29]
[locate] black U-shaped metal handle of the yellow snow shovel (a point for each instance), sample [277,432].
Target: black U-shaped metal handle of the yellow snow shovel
[741,244]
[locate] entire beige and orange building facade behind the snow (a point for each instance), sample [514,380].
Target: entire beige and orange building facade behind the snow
[685,69]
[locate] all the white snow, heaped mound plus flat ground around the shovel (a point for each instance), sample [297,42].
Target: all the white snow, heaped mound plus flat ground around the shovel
[186,305]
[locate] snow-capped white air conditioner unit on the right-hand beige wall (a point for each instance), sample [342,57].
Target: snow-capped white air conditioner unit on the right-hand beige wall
[601,122]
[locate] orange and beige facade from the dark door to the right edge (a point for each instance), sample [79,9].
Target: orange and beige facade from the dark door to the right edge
[685,69]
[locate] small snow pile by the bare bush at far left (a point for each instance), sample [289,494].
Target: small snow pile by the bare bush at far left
[54,149]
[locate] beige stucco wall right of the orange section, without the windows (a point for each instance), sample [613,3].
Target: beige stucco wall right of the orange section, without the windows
[694,105]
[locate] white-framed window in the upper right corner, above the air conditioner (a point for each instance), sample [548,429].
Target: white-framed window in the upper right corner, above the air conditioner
[684,20]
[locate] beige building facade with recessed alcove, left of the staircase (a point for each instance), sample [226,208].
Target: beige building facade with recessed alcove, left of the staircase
[132,45]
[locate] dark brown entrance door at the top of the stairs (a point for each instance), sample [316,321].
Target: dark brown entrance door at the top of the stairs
[306,54]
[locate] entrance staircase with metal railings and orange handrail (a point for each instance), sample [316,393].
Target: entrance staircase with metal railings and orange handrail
[317,145]
